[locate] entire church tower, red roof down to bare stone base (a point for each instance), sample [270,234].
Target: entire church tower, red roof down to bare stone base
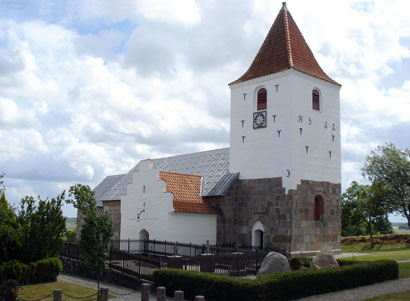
[285,146]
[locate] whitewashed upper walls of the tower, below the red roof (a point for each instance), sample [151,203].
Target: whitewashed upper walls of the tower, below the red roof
[264,154]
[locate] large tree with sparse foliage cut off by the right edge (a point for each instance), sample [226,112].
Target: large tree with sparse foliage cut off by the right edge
[391,167]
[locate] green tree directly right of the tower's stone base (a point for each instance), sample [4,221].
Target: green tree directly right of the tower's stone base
[363,209]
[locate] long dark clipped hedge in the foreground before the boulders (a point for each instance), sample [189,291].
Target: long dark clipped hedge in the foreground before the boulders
[281,286]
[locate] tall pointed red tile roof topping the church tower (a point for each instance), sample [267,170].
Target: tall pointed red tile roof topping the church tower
[284,48]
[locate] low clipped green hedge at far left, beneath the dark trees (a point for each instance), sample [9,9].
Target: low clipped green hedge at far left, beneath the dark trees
[44,270]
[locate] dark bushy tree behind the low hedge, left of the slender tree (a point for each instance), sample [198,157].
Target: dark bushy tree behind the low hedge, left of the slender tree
[43,227]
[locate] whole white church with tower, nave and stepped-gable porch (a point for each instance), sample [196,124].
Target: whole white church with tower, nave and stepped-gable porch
[277,185]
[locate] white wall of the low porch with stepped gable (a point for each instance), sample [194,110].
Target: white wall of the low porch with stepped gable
[160,219]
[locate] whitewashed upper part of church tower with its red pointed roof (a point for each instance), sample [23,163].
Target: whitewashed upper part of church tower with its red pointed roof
[285,113]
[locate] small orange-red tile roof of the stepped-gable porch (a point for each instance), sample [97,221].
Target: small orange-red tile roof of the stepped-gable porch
[186,191]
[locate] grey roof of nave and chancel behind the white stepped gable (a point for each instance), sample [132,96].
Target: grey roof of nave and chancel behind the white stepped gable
[212,165]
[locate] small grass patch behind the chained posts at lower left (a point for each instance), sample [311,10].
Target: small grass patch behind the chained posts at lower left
[38,291]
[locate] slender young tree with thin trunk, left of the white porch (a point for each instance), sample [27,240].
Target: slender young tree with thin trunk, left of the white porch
[96,232]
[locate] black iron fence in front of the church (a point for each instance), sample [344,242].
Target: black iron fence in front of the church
[140,258]
